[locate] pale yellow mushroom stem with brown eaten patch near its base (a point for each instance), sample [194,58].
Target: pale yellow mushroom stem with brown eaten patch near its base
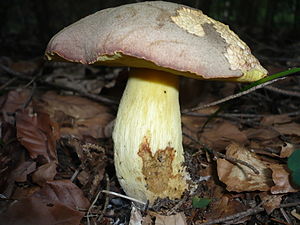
[148,139]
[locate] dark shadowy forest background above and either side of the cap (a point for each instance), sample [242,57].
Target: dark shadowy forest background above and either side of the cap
[270,27]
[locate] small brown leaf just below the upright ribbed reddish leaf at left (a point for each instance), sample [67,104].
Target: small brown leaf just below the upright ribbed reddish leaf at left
[44,173]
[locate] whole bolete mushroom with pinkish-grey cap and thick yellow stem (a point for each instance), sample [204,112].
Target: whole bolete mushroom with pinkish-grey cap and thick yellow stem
[160,40]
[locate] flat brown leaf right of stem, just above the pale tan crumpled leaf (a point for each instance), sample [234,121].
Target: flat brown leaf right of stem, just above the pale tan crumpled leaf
[223,134]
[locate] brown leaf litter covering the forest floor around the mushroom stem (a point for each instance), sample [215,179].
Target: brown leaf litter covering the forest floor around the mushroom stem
[56,156]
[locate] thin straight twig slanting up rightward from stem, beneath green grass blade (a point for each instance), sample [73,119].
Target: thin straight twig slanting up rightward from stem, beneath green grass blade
[232,96]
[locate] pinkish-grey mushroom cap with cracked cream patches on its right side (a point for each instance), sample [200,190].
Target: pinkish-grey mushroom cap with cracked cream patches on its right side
[157,35]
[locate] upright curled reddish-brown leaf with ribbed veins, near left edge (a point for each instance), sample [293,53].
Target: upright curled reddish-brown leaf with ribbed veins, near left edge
[37,133]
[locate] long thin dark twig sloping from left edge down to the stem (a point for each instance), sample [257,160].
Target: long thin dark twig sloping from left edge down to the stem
[59,86]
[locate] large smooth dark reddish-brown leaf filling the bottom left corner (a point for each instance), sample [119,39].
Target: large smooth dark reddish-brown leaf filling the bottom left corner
[56,203]
